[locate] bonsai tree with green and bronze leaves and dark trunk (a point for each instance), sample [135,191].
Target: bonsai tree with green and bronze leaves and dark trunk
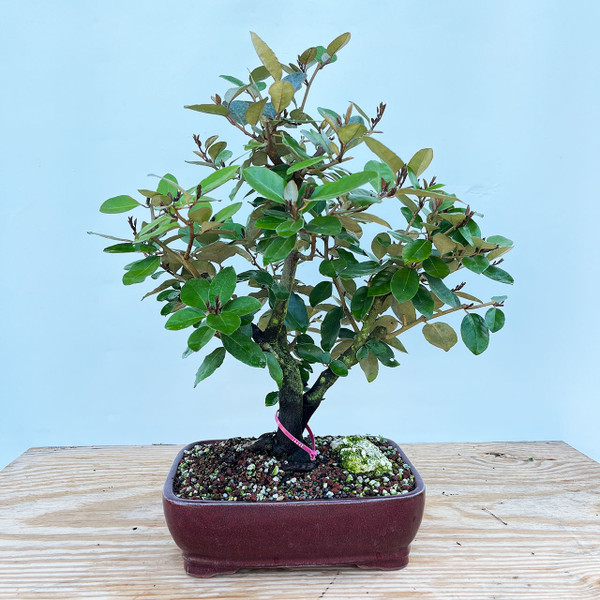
[328,283]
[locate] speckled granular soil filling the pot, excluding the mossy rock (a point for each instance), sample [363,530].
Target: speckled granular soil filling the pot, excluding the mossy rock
[230,471]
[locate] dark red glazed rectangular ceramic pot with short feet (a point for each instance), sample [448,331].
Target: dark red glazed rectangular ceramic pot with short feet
[223,537]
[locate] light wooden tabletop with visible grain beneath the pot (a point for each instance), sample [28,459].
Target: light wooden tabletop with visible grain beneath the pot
[503,520]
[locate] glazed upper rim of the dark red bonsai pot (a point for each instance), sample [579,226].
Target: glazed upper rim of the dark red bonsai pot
[169,494]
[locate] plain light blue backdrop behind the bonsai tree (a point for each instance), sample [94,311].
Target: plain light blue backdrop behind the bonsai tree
[505,92]
